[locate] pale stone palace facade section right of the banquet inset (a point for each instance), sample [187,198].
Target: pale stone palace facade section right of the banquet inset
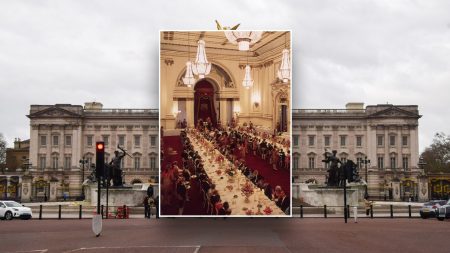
[385,134]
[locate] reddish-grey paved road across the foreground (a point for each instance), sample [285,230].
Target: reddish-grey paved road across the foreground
[196,235]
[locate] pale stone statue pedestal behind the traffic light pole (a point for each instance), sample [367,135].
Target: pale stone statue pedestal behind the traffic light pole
[118,196]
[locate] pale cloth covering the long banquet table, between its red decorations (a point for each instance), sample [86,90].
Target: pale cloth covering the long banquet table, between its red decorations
[234,196]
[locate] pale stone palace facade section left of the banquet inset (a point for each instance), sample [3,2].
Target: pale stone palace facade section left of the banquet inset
[62,147]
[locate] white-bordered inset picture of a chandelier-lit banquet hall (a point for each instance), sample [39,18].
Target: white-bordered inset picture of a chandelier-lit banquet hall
[225,117]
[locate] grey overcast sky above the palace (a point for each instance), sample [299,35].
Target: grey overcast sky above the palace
[107,51]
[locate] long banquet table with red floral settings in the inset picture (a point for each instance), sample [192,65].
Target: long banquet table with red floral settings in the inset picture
[230,187]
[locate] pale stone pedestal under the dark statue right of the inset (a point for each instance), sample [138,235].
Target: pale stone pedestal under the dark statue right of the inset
[333,197]
